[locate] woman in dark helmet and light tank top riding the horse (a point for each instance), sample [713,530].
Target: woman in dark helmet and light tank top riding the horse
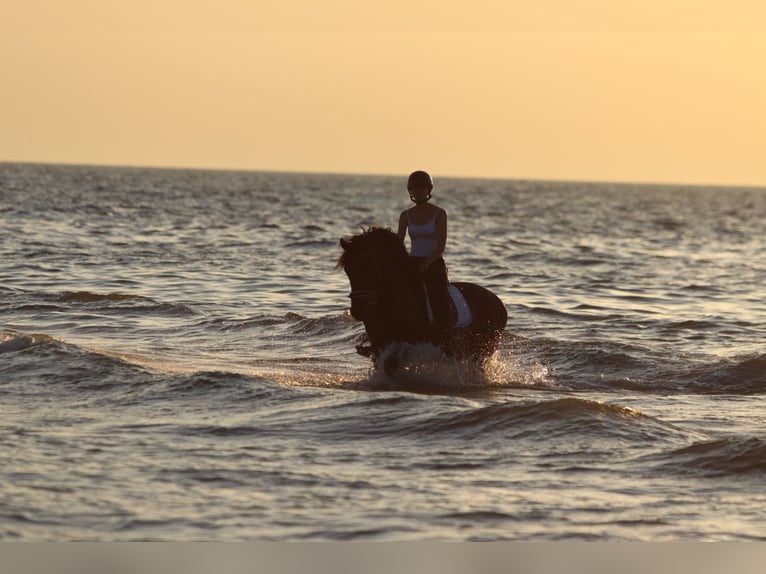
[427,227]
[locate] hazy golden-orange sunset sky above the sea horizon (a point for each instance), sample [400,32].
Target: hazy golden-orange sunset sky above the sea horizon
[657,91]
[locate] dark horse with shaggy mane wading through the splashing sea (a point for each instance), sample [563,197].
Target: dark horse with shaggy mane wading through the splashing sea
[387,294]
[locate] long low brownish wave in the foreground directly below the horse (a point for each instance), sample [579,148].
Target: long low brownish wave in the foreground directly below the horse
[568,423]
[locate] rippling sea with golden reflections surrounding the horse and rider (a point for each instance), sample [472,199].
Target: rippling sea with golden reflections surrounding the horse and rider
[177,363]
